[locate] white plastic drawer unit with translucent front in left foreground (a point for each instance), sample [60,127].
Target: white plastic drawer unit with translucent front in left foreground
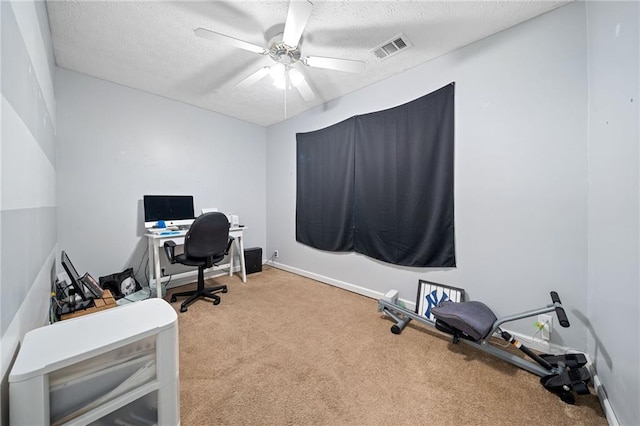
[118,366]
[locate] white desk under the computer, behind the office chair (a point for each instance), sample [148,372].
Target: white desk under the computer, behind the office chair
[156,243]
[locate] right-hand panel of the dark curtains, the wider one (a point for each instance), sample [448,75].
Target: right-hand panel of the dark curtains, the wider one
[403,211]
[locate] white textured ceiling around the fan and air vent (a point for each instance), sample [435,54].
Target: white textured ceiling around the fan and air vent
[151,45]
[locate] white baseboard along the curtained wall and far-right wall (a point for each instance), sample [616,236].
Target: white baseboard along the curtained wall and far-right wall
[533,343]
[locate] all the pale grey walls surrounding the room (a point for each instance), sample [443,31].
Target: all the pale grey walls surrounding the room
[543,190]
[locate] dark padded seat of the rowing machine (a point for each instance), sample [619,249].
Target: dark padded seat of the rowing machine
[474,318]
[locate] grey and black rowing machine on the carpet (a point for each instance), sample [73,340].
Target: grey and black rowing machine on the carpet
[474,323]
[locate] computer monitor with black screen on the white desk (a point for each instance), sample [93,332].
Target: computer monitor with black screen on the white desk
[174,210]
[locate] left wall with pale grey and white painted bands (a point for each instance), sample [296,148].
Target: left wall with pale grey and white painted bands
[28,202]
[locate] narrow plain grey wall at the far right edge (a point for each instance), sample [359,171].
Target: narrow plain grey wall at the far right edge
[614,202]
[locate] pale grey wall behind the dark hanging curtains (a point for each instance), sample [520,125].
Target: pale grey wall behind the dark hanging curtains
[520,173]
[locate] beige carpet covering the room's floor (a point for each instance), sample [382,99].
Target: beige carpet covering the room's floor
[286,350]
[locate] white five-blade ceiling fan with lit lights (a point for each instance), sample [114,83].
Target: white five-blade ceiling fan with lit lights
[283,48]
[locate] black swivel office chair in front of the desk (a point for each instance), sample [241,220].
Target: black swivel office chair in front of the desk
[207,242]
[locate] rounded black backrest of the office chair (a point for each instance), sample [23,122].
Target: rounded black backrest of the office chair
[208,236]
